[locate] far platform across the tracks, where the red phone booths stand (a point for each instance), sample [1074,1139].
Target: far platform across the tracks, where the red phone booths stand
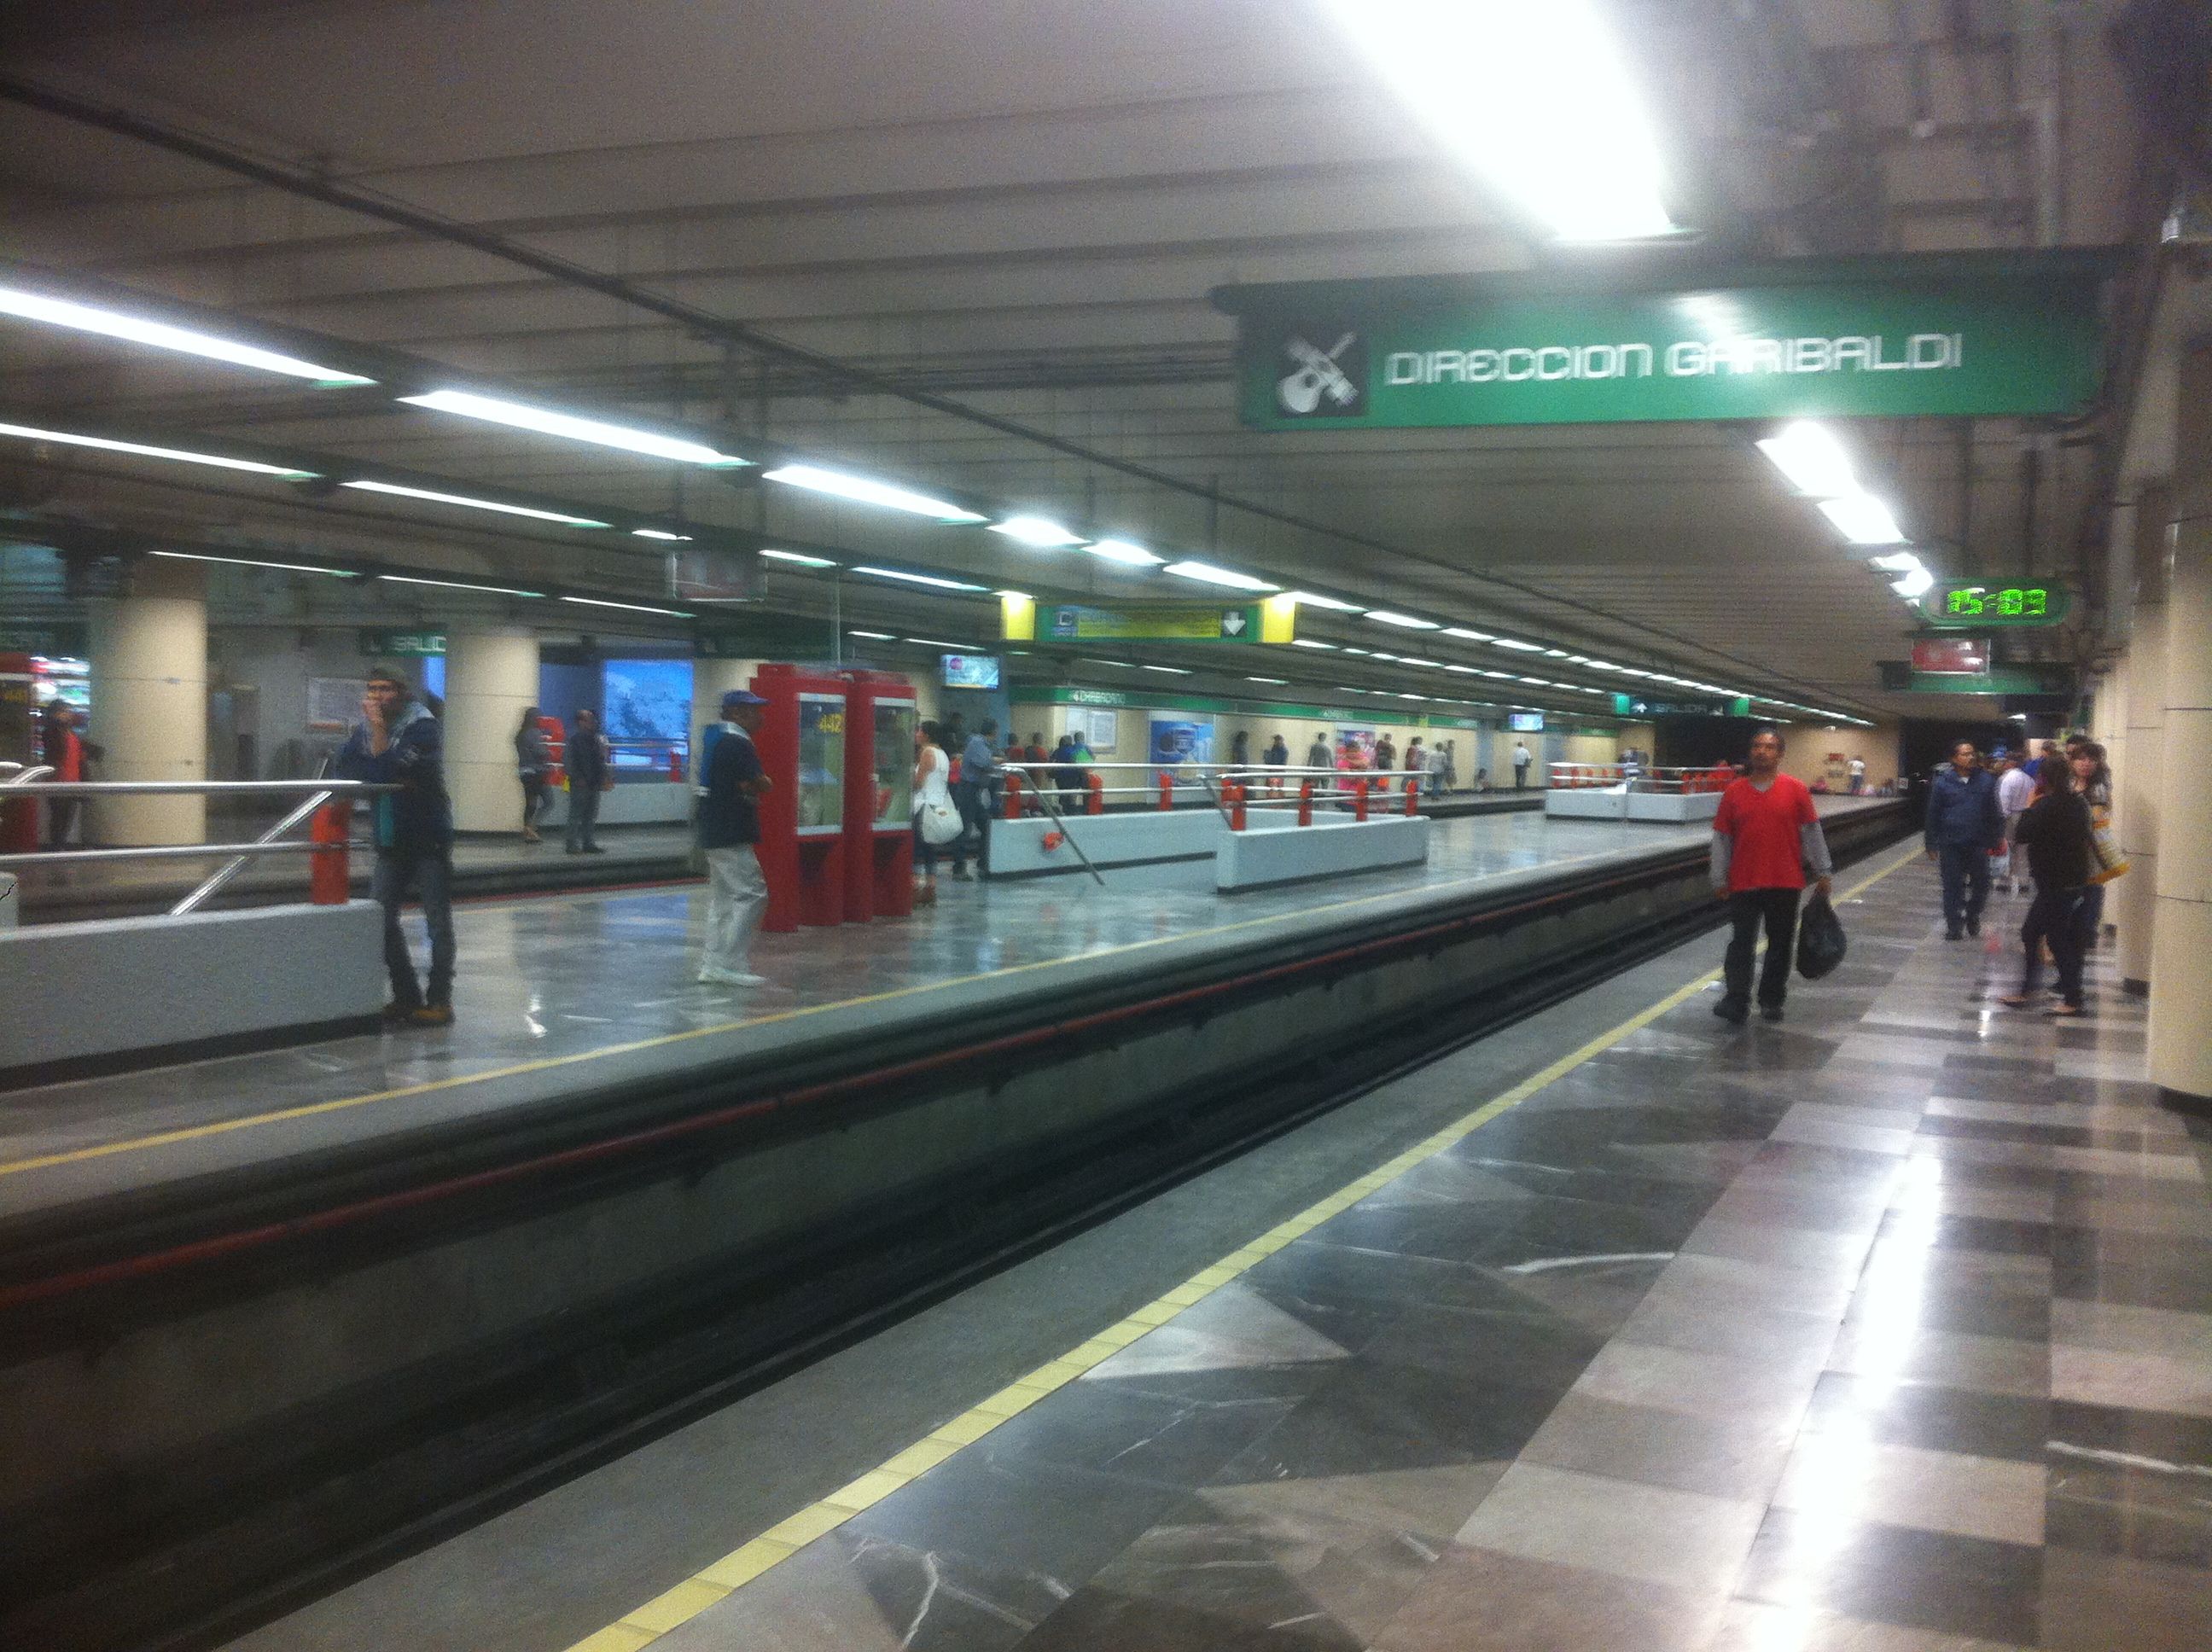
[559,992]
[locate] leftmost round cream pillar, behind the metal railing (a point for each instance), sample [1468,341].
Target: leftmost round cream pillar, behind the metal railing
[149,678]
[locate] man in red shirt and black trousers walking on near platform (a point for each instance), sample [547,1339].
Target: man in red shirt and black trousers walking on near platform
[1762,841]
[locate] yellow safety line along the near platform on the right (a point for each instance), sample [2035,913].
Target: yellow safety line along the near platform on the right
[786,1538]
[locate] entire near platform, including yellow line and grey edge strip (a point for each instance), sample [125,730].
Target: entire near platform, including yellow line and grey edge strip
[1884,1330]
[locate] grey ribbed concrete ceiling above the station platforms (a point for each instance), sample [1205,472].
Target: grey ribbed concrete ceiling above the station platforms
[1023,207]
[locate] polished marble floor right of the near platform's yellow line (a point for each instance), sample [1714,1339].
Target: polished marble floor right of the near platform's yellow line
[1884,1330]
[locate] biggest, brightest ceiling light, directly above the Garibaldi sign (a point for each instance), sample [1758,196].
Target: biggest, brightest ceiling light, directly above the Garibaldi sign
[1572,147]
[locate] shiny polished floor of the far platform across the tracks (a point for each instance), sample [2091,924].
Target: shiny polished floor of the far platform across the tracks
[574,974]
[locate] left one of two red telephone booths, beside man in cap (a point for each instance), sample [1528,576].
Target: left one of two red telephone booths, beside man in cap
[804,813]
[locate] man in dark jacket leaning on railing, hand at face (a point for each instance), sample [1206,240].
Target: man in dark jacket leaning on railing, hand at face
[397,742]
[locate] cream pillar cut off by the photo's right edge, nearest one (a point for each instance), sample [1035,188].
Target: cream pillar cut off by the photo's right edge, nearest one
[2182,934]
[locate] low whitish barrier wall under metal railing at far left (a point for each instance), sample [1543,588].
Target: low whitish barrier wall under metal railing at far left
[123,985]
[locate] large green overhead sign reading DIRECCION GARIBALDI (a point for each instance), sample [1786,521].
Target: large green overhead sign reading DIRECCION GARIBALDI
[1943,337]
